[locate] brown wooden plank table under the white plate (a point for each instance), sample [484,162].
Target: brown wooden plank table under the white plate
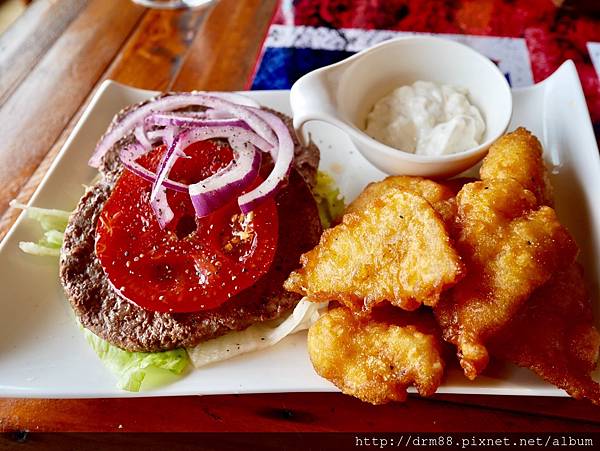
[51,61]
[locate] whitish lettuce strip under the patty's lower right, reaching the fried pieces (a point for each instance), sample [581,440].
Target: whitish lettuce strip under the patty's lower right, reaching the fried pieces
[258,336]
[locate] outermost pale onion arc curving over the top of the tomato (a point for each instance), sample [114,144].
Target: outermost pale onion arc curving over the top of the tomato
[170,103]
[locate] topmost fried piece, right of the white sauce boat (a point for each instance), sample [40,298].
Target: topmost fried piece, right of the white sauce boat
[518,156]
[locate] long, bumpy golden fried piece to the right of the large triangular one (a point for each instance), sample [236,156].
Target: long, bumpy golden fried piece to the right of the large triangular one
[510,248]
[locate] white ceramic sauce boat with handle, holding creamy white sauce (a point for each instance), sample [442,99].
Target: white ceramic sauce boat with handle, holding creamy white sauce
[342,94]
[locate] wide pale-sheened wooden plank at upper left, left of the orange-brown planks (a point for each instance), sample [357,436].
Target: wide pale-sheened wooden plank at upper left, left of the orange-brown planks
[39,109]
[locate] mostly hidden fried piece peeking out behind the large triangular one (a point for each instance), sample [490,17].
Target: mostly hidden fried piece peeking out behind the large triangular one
[440,196]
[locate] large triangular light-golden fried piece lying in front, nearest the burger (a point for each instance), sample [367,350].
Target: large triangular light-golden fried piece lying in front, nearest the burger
[394,249]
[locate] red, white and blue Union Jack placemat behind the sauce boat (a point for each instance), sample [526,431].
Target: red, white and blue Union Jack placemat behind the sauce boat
[528,39]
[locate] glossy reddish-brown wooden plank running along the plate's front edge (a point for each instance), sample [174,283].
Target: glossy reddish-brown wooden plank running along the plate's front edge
[290,412]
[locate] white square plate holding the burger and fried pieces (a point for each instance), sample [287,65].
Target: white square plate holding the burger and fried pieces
[44,354]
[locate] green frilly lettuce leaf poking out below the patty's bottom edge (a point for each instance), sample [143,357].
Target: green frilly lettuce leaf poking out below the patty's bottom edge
[137,371]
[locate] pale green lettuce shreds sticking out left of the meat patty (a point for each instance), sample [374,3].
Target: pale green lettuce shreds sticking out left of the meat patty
[53,223]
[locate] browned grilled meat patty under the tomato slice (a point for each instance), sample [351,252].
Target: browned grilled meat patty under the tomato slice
[100,308]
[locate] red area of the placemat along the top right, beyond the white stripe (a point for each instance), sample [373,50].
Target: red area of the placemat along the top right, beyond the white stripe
[552,34]
